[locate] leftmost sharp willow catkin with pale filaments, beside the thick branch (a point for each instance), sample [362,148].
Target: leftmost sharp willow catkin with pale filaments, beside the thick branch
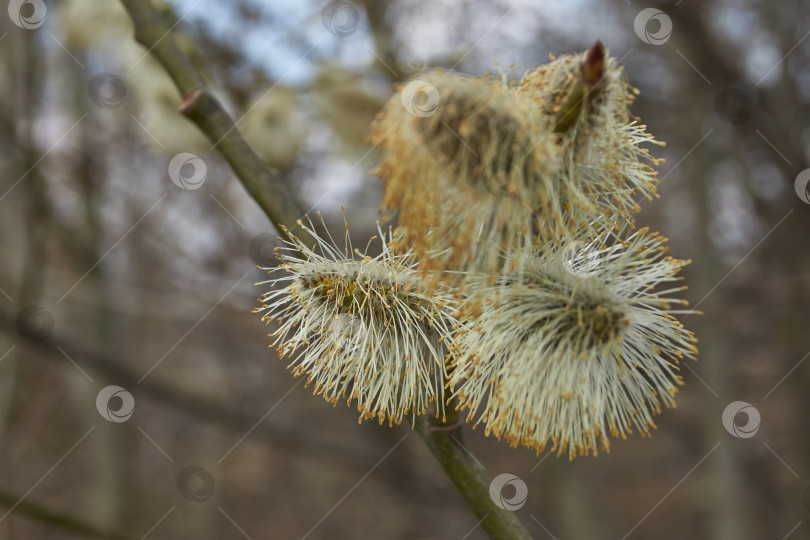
[359,327]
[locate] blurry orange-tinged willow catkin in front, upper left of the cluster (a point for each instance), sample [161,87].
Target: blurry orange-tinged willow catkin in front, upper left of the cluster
[466,180]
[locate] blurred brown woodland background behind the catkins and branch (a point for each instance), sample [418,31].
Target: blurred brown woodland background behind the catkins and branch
[110,274]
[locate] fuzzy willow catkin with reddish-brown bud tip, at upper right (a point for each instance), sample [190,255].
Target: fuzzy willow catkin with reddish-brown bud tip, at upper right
[606,165]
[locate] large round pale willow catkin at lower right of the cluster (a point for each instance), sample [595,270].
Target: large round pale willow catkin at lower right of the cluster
[575,346]
